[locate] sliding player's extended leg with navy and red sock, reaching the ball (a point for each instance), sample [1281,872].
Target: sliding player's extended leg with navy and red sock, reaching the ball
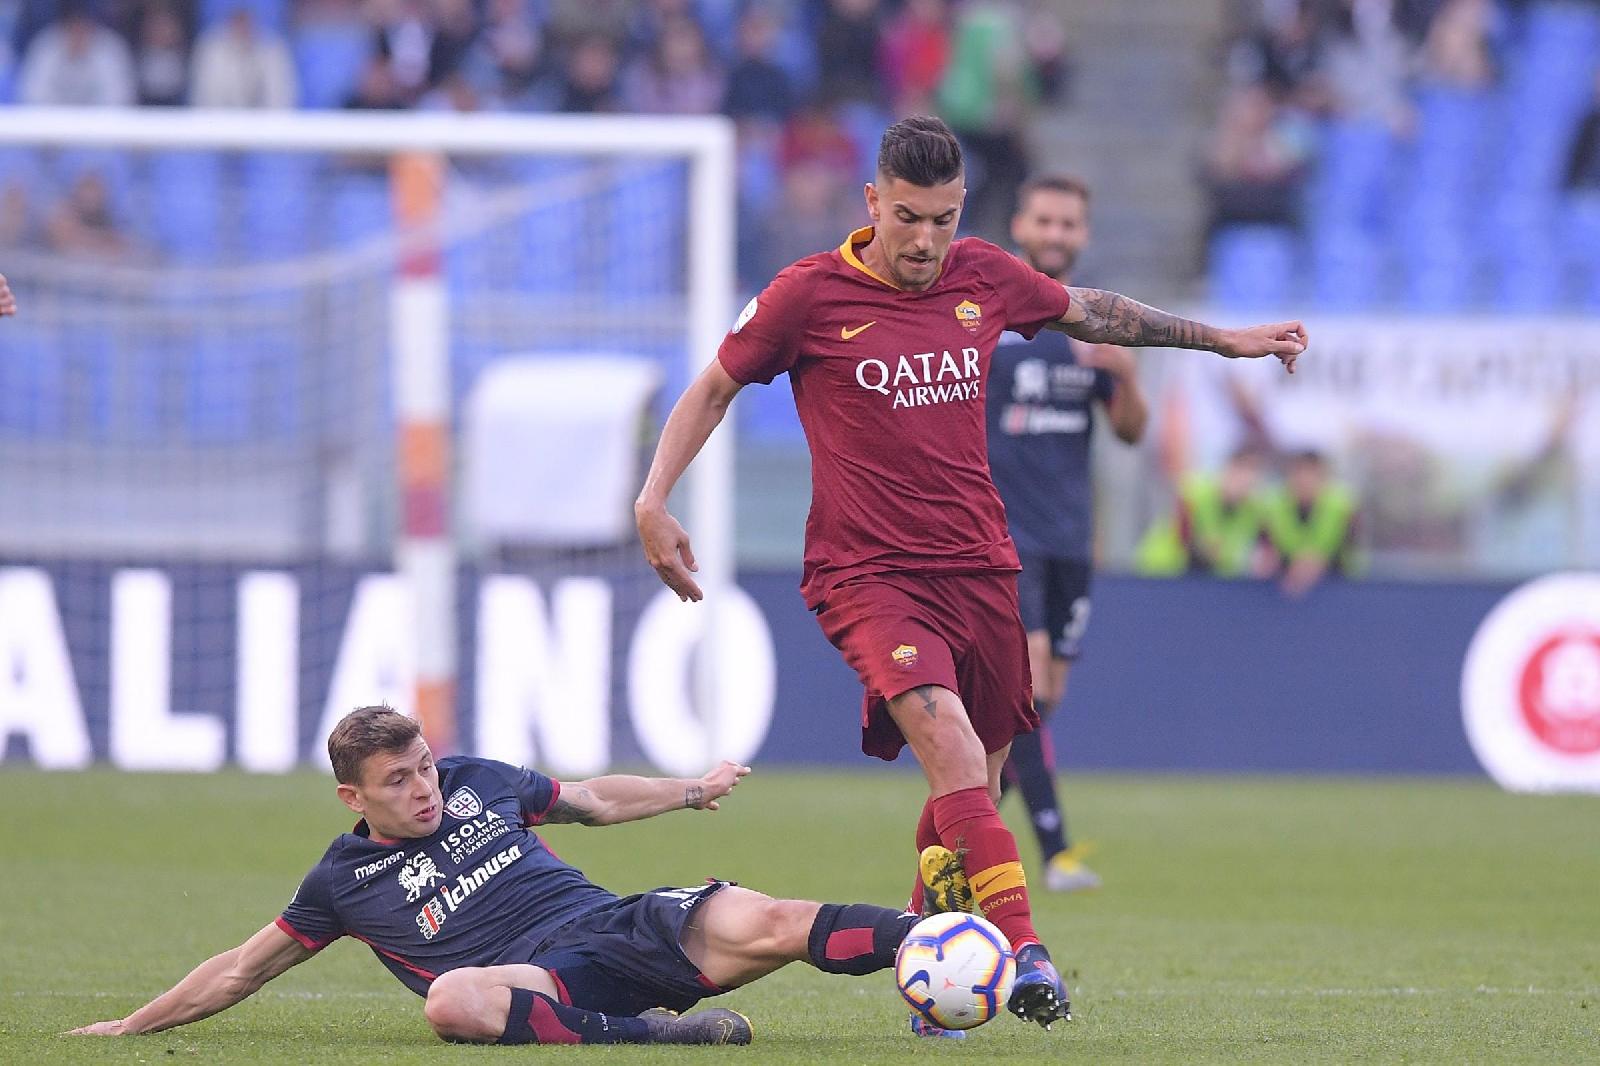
[738,937]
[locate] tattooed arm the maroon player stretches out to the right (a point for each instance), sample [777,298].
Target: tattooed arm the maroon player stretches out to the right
[1105,318]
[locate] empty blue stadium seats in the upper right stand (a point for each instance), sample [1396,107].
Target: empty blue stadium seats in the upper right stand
[1471,209]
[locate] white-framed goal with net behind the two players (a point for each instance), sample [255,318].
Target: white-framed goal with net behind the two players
[305,412]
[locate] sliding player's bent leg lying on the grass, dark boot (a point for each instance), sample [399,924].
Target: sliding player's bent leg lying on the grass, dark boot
[522,1004]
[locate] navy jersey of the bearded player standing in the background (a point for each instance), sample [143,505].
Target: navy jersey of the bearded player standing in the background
[1041,407]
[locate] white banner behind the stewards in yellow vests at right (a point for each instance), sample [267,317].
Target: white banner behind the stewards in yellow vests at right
[1473,444]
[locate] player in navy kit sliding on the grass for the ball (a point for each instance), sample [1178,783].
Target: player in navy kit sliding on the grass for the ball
[450,888]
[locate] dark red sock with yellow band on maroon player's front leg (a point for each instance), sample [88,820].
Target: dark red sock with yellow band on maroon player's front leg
[970,827]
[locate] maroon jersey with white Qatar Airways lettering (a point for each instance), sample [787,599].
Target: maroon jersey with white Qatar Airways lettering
[890,391]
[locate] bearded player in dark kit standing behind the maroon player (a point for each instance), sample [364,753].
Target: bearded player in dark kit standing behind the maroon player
[1042,398]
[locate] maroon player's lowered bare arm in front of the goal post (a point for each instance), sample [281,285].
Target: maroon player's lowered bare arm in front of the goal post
[694,417]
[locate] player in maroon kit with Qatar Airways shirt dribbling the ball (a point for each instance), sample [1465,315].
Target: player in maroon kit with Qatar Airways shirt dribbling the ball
[908,561]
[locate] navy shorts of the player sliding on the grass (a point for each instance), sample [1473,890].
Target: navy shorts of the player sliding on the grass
[626,958]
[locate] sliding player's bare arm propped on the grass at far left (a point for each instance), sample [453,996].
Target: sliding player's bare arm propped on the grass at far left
[215,985]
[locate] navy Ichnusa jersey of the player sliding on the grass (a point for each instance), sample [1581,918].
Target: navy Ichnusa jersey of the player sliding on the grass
[457,899]
